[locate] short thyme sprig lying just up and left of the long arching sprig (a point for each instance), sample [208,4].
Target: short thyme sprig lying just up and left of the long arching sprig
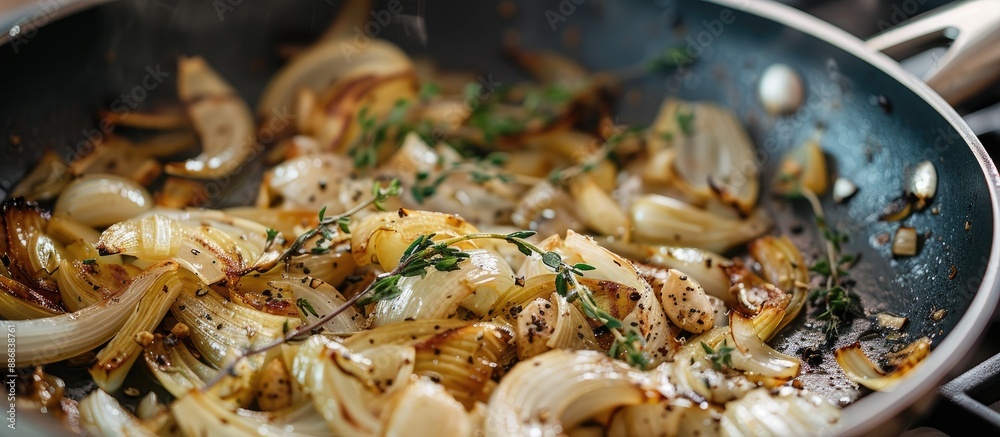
[325,228]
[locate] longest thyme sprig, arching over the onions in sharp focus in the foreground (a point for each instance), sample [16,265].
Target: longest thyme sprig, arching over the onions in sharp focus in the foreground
[425,253]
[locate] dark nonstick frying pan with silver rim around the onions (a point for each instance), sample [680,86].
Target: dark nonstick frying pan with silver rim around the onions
[56,77]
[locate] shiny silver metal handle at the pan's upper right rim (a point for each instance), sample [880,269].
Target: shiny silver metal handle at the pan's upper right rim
[971,63]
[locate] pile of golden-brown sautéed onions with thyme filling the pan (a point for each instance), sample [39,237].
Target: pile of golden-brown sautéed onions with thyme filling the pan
[432,253]
